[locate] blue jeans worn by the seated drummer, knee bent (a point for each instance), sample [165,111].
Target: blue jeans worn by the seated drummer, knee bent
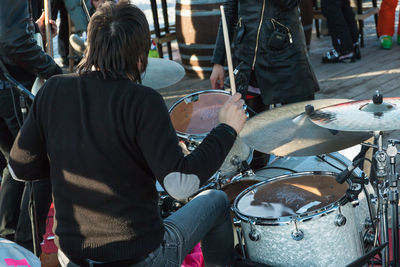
[206,218]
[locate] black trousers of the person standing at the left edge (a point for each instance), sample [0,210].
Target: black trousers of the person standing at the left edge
[15,196]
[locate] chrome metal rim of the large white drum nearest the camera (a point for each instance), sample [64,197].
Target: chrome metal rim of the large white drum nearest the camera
[285,220]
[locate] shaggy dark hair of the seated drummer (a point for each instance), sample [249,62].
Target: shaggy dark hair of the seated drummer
[118,42]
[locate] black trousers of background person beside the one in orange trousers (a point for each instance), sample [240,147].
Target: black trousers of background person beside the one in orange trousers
[341,24]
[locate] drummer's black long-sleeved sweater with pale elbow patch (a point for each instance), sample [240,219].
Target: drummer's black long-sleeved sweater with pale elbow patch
[103,143]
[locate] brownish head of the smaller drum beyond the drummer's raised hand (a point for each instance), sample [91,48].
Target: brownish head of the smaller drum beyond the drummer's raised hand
[198,113]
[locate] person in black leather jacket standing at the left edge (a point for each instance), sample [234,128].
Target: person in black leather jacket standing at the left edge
[24,59]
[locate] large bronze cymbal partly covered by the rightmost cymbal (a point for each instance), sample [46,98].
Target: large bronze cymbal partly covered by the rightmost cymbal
[288,131]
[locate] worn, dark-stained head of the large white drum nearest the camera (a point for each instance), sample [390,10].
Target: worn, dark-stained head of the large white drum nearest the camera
[290,195]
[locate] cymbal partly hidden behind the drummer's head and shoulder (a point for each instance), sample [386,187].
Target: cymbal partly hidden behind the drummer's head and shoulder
[161,73]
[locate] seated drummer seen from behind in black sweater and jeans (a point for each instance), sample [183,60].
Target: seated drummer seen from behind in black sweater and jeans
[104,139]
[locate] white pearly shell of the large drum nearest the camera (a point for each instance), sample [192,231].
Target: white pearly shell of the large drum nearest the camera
[324,243]
